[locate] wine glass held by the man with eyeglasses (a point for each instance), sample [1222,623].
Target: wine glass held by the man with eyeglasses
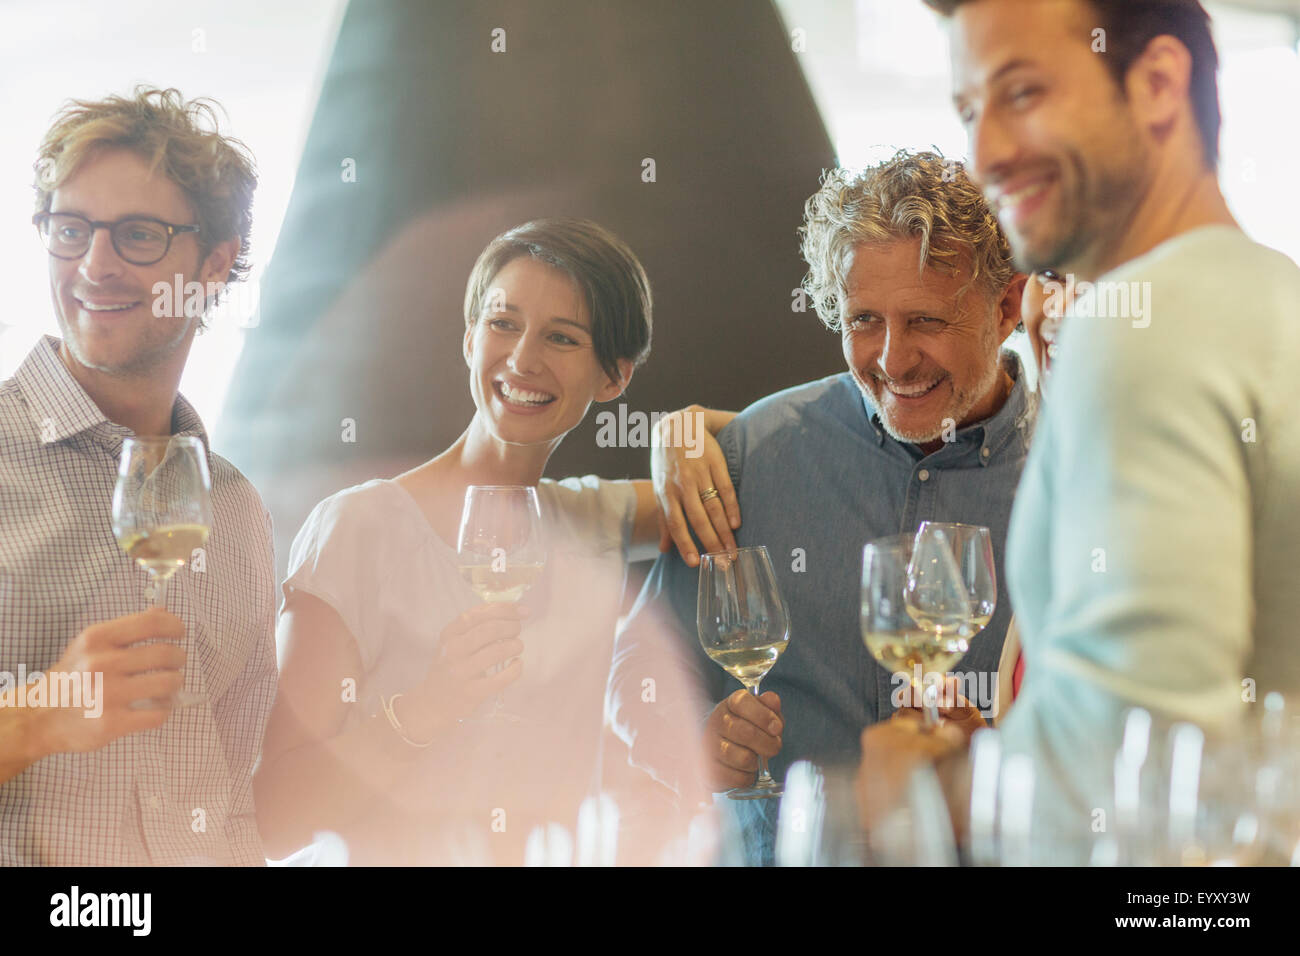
[163,512]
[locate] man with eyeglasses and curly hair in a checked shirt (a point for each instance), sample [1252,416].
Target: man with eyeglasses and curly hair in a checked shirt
[135,196]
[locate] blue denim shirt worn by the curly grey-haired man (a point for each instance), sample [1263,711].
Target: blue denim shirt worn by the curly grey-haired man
[818,477]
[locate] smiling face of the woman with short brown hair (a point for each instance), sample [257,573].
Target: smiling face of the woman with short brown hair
[532,367]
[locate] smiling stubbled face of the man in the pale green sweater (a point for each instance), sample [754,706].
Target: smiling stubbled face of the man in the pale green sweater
[1054,144]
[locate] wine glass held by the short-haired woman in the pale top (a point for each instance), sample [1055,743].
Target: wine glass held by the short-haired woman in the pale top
[501,550]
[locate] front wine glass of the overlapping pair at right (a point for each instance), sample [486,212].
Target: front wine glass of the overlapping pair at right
[891,633]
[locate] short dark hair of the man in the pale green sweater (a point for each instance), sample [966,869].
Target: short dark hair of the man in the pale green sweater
[1132,25]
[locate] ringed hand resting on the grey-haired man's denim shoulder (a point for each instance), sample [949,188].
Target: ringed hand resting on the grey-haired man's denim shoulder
[686,464]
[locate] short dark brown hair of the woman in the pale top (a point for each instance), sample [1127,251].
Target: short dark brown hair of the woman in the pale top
[609,274]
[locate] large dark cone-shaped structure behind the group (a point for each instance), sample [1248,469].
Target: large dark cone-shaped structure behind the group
[428,142]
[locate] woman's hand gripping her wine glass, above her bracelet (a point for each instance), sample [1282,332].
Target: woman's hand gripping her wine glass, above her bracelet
[458,680]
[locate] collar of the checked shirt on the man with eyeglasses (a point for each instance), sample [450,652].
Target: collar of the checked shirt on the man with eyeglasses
[60,408]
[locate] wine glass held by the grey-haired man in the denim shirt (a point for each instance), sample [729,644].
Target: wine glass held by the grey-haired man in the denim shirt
[744,628]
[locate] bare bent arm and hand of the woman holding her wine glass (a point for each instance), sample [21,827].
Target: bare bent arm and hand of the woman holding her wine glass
[314,776]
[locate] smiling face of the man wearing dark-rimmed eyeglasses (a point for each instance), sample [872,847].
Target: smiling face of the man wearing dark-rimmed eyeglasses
[106,305]
